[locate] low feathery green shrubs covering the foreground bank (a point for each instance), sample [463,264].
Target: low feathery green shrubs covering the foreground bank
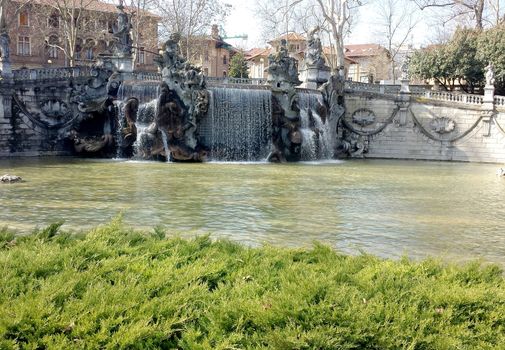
[116,288]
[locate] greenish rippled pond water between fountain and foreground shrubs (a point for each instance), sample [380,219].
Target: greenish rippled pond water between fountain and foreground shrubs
[455,211]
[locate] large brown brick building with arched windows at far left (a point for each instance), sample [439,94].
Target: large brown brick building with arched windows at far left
[39,34]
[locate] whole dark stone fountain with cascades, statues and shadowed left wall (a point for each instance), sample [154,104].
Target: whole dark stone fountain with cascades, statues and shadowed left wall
[110,111]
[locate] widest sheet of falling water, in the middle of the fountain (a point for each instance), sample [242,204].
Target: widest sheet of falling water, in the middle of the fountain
[238,126]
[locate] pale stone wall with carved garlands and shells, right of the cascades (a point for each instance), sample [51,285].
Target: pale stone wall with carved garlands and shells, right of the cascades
[429,129]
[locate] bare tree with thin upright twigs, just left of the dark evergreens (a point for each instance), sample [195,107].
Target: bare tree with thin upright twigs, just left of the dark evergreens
[397,20]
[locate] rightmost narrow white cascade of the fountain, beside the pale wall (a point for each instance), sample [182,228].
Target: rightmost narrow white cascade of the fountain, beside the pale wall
[319,132]
